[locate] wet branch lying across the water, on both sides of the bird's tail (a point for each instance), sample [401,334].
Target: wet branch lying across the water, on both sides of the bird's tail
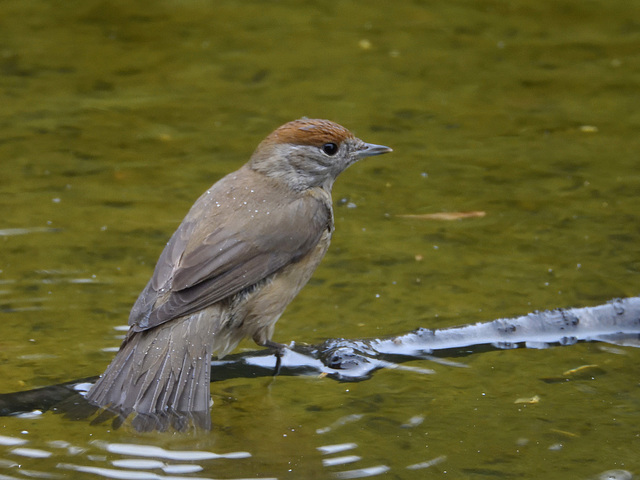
[615,322]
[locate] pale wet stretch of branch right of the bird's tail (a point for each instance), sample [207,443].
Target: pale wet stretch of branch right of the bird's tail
[615,322]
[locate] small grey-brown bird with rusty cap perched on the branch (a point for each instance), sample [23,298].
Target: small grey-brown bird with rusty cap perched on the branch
[242,253]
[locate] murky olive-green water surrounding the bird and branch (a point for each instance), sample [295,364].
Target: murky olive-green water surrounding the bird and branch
[116,116]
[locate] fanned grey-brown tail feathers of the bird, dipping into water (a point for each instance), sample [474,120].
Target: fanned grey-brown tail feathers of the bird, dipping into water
[161,376]
